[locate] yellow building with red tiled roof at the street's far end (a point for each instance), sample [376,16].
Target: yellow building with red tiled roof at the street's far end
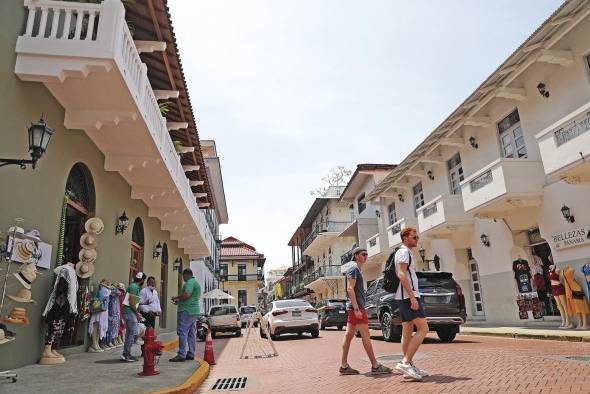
[241,271]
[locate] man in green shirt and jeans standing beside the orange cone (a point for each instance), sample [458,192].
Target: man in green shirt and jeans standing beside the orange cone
[188,314]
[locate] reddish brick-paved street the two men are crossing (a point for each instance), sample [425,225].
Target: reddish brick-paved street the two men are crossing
[472,364]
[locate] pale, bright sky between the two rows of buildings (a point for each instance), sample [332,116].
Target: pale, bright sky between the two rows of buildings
[290,89]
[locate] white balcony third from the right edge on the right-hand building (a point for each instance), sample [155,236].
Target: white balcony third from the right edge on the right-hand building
[444,209]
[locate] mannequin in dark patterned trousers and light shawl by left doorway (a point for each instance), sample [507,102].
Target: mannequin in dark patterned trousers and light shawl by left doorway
[62,305]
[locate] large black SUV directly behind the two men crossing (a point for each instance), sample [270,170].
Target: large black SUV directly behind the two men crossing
[444,305]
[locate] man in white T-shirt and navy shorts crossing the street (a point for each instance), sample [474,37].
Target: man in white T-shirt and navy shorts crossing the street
[410,304]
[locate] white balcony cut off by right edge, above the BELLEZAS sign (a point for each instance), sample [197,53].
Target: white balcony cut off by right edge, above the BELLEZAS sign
[566,142]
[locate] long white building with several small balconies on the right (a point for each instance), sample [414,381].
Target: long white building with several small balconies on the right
[505,178]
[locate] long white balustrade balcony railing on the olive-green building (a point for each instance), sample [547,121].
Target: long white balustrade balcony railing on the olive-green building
[70,39]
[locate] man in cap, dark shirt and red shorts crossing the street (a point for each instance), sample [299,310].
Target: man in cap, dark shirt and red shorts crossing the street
[357,316]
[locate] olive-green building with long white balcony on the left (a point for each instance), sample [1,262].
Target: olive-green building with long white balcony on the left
[125,149]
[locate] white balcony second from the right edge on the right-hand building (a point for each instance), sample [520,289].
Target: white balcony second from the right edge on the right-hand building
[518,178]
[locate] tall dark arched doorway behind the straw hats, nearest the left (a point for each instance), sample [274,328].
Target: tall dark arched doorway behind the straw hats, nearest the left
[78,206]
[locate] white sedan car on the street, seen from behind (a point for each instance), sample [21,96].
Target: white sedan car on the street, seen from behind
[290,317]
